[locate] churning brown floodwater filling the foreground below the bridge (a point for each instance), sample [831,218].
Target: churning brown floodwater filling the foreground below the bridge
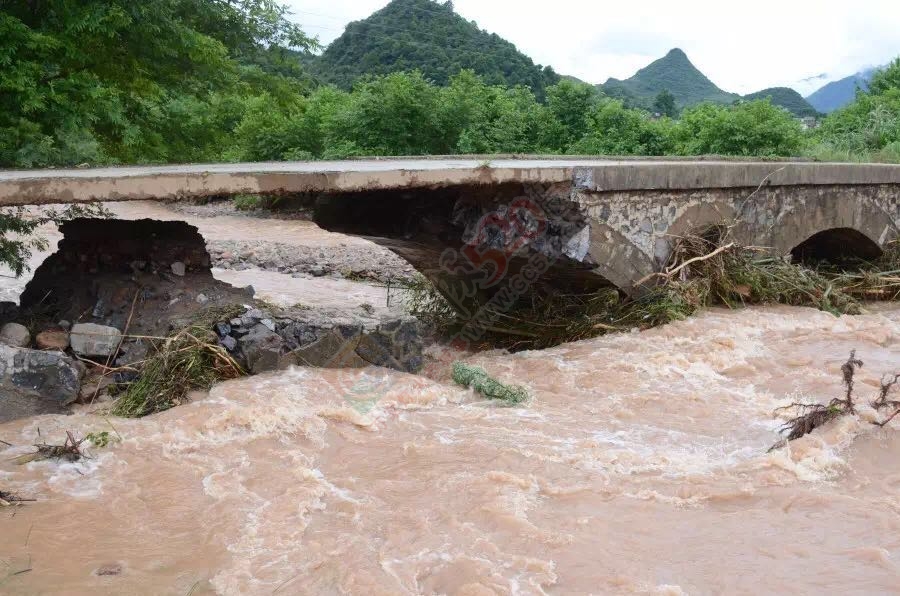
[639,466]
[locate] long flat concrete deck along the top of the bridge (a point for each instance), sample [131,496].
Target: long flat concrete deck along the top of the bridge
[28,187]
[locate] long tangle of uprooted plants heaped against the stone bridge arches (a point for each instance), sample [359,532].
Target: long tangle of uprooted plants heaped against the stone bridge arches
[706,268]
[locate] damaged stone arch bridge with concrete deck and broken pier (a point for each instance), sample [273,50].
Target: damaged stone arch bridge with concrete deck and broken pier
[475,225]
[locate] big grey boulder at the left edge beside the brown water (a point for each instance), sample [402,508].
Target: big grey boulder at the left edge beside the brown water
[33,382]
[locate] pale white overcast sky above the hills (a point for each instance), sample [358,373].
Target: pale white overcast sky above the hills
[742,47]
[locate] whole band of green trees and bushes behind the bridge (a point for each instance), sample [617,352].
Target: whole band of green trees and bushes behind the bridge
[116,82]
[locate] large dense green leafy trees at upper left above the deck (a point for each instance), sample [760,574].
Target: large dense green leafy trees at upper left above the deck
[102,80]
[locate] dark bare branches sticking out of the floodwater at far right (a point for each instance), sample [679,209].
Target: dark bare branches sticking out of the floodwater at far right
[811,416]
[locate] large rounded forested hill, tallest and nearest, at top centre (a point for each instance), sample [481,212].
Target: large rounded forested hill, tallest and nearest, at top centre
[428,36]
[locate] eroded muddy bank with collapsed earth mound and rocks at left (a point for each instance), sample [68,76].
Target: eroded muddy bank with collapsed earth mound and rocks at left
[101,311]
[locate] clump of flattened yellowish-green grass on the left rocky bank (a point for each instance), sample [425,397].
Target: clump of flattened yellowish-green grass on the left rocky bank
[190,359]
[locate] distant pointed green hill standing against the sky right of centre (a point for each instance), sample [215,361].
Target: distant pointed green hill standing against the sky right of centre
[673,72]
